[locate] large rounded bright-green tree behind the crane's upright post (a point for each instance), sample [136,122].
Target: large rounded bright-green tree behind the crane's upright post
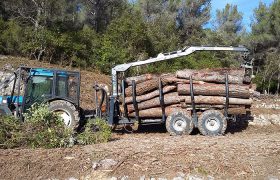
[124,41]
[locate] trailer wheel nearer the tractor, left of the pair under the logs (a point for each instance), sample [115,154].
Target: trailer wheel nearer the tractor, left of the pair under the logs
[179,123]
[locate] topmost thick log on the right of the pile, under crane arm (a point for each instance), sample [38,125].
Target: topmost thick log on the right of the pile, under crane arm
[235,76]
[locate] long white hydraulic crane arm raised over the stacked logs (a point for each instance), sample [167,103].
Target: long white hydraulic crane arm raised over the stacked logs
[166,56]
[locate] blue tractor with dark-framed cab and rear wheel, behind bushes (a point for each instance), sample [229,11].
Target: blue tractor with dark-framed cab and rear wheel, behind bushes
[59,88]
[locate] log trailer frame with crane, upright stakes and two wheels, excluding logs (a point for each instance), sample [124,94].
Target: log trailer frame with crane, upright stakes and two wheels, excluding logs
[210,122]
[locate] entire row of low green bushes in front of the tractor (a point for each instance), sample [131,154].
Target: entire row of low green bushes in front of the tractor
[45,129]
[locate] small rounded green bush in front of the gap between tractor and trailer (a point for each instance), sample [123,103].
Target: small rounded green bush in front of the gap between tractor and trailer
[95,131]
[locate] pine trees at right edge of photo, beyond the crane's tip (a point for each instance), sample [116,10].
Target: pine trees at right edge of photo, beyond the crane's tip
[264,39]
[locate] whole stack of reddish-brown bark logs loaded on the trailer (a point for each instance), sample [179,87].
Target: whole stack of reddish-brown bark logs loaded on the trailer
[209,91]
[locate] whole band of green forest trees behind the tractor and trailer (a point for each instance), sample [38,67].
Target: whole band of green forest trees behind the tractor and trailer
[99,34]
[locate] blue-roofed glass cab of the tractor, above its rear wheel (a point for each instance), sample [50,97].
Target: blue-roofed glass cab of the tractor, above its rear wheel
[45,85]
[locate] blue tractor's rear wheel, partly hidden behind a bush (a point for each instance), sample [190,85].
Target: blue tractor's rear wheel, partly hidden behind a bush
[67,111]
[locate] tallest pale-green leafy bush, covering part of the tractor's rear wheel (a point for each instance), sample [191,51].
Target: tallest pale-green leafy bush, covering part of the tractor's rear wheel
[46,129]
